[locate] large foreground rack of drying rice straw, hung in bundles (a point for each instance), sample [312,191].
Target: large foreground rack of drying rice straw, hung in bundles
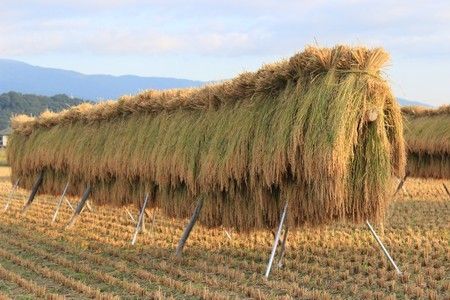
[321,130]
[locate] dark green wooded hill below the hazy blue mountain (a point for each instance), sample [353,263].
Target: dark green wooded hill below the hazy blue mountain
[16,103]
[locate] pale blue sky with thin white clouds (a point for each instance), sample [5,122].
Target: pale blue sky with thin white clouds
[214,40]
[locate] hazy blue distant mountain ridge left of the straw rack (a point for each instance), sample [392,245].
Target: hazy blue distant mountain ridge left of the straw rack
[21,77]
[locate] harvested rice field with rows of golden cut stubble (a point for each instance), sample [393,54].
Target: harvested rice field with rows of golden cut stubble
[94,258]
